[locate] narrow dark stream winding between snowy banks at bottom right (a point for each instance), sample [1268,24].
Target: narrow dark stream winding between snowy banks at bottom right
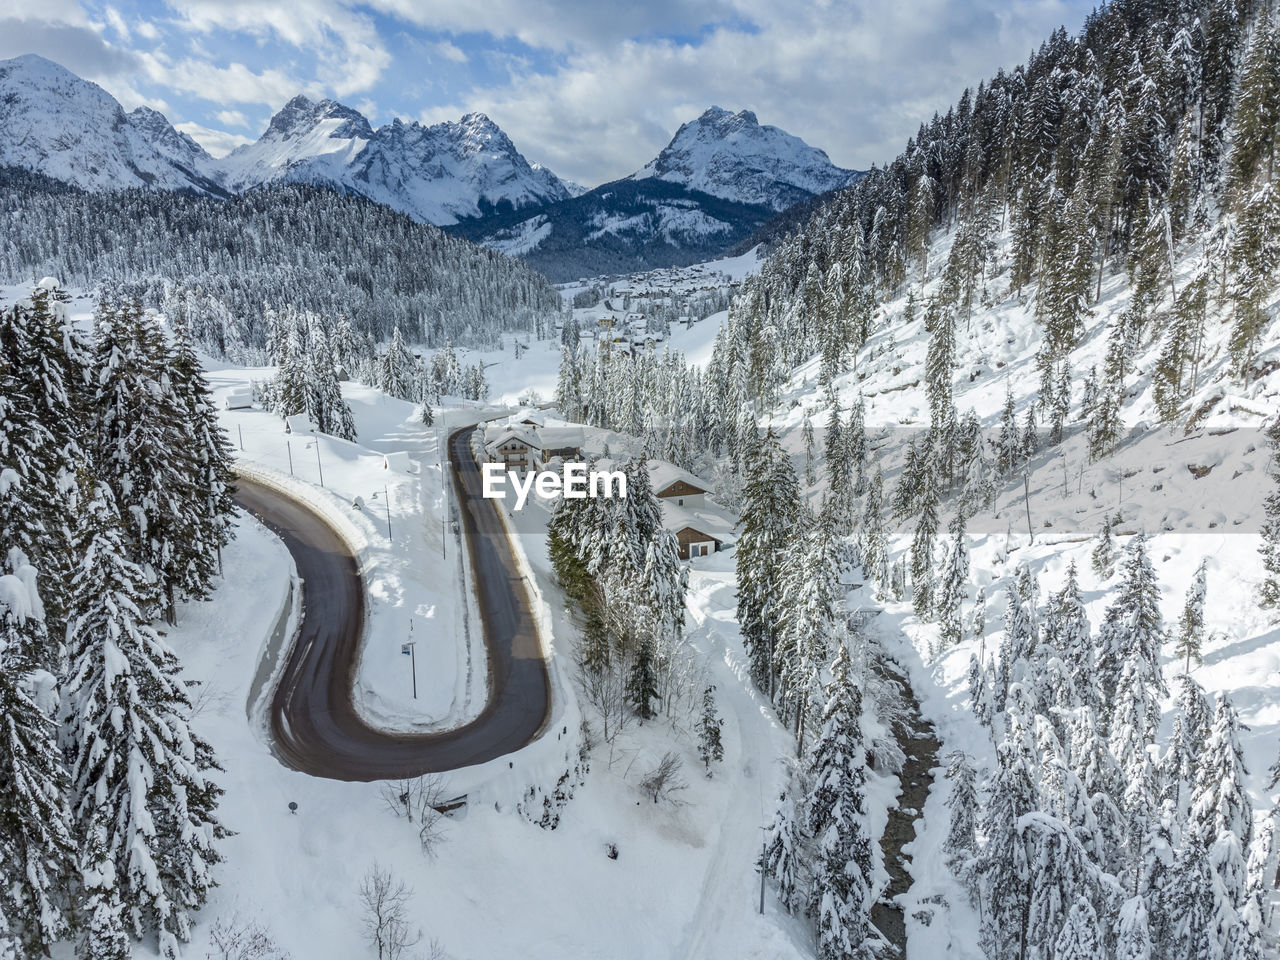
[920,743]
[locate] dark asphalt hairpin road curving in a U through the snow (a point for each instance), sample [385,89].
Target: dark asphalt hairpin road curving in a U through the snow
[314,724]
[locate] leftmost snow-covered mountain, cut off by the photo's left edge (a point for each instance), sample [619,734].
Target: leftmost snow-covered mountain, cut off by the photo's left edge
[74,131]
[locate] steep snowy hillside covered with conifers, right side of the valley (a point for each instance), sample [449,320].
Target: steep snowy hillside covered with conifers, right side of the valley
[1081,248]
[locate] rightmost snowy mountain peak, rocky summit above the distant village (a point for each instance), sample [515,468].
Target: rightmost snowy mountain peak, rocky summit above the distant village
[733,157]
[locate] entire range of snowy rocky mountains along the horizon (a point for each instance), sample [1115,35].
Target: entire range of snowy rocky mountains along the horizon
[719,181]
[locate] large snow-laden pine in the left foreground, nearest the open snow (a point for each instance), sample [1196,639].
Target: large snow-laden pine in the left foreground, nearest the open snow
[143,796]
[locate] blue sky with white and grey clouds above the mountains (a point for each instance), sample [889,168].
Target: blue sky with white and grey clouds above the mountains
[593,89]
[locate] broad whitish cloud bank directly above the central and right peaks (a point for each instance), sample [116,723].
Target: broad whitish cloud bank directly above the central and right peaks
[854,79]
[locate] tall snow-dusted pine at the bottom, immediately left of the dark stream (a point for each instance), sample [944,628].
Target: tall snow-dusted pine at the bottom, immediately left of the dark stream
[835,819]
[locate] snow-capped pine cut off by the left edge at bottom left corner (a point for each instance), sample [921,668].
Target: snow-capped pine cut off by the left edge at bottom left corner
[36,849]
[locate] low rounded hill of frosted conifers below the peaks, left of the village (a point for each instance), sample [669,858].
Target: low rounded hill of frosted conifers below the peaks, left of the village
[222,264]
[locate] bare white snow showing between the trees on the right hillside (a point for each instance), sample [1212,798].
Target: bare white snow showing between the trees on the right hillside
[1195,493]
